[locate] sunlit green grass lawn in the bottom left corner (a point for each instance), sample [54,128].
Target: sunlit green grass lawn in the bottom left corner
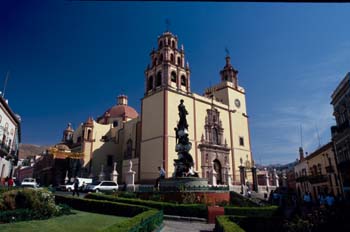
[79,221]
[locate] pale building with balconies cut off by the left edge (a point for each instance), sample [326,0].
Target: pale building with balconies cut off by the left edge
[9,139]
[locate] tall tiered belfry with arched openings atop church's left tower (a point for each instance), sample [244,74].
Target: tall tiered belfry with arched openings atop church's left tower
[167,68]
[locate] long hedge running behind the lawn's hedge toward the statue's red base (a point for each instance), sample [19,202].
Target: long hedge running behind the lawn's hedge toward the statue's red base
[186,210]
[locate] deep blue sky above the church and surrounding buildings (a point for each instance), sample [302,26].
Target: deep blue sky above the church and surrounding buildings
[69,60]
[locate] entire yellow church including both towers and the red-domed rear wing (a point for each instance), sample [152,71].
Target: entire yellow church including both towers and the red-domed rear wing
[218,125]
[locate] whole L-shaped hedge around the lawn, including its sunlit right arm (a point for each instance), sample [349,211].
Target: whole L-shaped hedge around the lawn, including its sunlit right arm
[143,218]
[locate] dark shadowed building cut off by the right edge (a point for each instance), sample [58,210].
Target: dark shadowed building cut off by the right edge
[341,132]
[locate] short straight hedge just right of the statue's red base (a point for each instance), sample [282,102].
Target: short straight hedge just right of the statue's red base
[267,211]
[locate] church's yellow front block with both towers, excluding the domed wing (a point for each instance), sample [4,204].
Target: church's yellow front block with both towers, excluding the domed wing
[218,121]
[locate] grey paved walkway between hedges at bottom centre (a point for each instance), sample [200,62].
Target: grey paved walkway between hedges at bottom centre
[186,226]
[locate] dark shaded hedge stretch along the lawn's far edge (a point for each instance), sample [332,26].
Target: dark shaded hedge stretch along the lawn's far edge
[101,206]
